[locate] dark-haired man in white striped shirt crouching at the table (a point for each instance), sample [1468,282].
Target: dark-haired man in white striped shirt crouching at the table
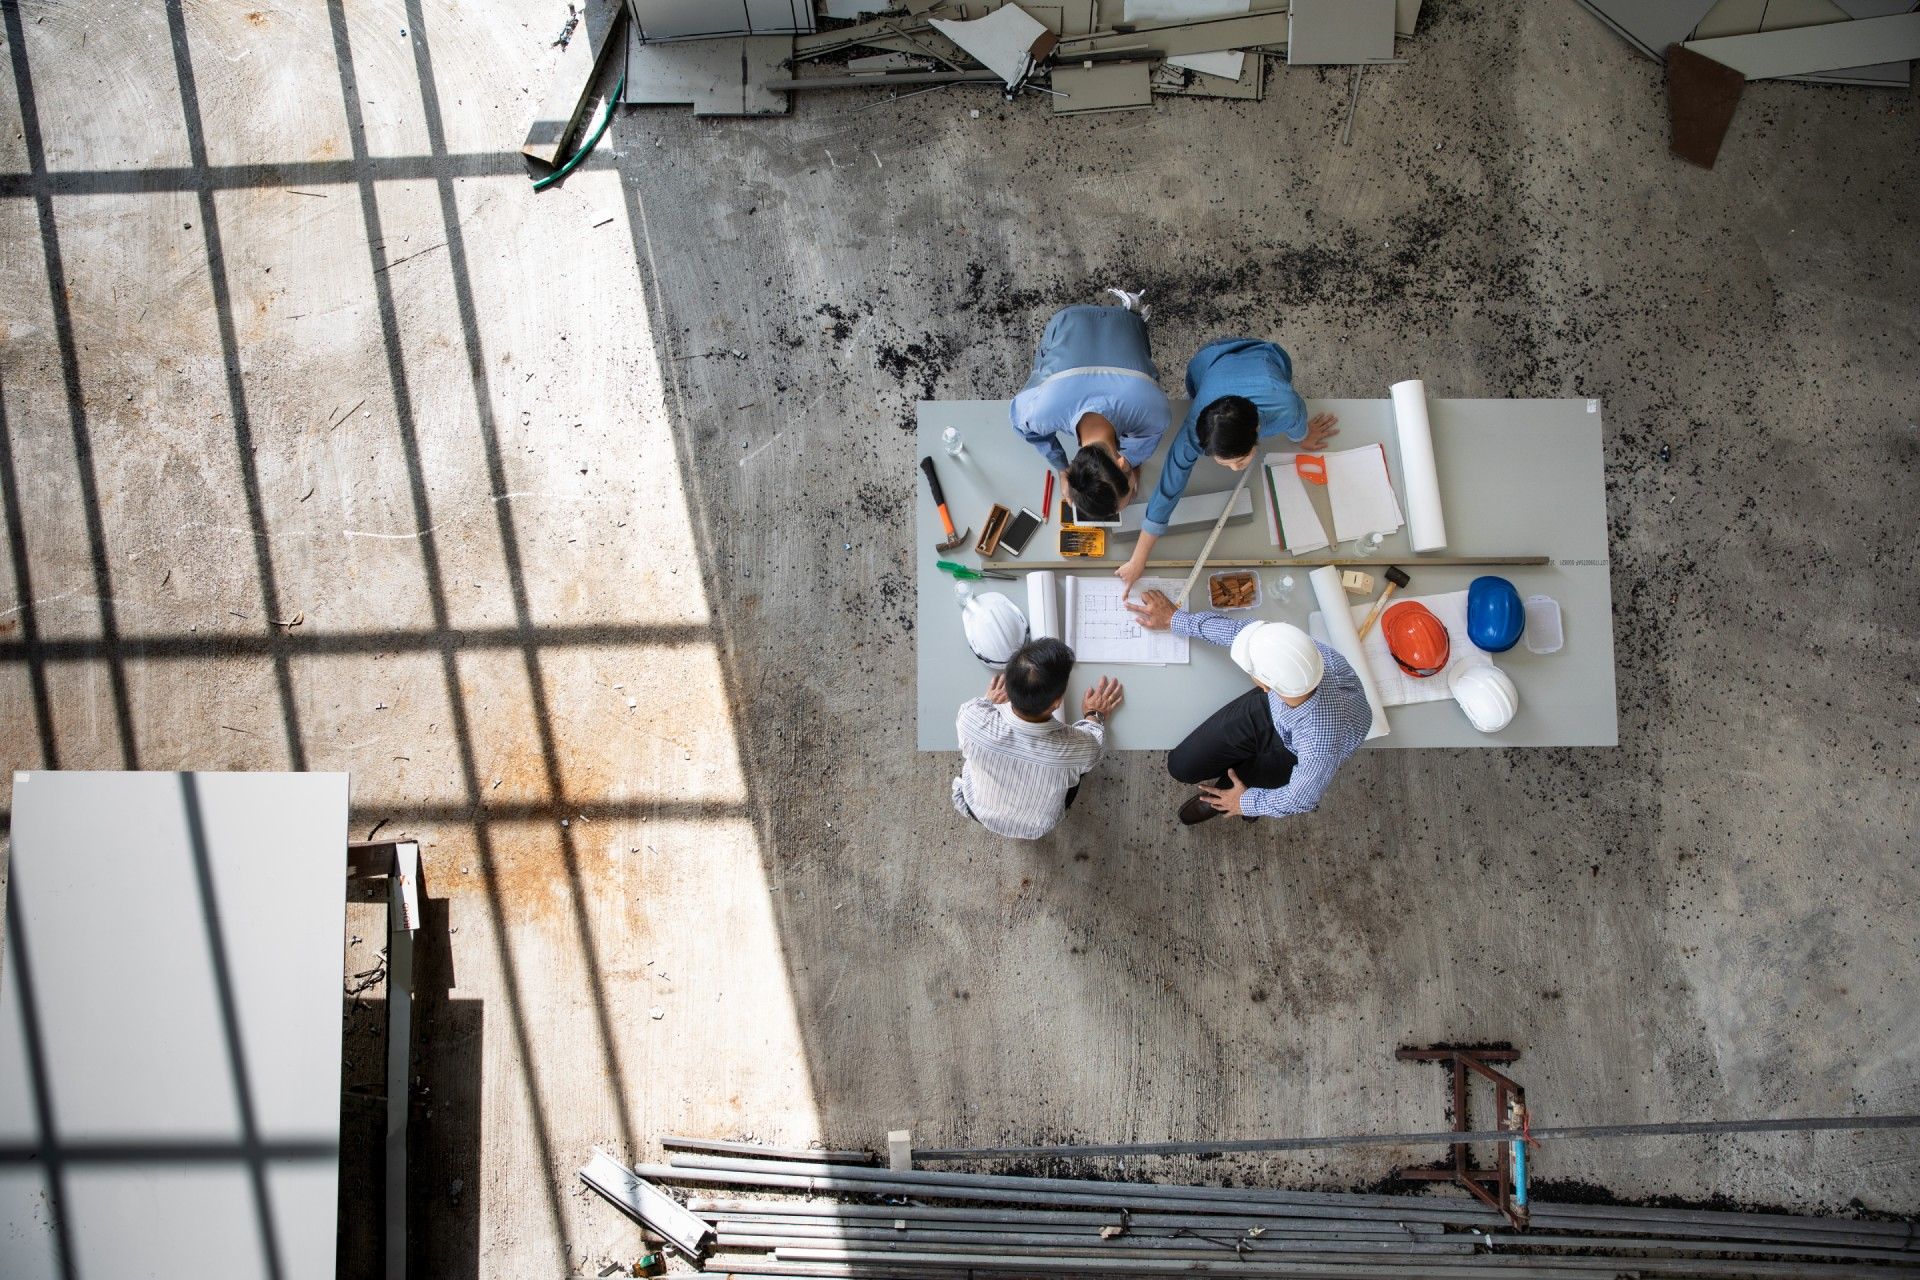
[1022,767]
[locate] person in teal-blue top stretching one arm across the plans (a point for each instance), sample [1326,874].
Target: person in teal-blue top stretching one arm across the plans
[1243,392]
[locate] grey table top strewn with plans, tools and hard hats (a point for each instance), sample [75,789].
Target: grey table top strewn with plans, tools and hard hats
[1518,477]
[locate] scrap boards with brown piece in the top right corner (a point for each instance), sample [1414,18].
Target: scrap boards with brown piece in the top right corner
[1714,47]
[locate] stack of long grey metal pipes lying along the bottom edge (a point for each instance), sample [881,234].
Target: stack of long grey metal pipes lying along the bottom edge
[1007,1227]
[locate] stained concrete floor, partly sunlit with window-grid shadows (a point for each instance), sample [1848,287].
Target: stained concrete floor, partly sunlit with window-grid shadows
[577,529]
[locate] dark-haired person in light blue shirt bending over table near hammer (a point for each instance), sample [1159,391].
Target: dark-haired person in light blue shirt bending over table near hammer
[1095,392]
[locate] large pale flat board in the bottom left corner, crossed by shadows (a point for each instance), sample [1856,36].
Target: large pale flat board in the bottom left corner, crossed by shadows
[170,1024]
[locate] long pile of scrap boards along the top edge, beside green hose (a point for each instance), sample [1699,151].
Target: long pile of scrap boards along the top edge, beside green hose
[1080,55]
